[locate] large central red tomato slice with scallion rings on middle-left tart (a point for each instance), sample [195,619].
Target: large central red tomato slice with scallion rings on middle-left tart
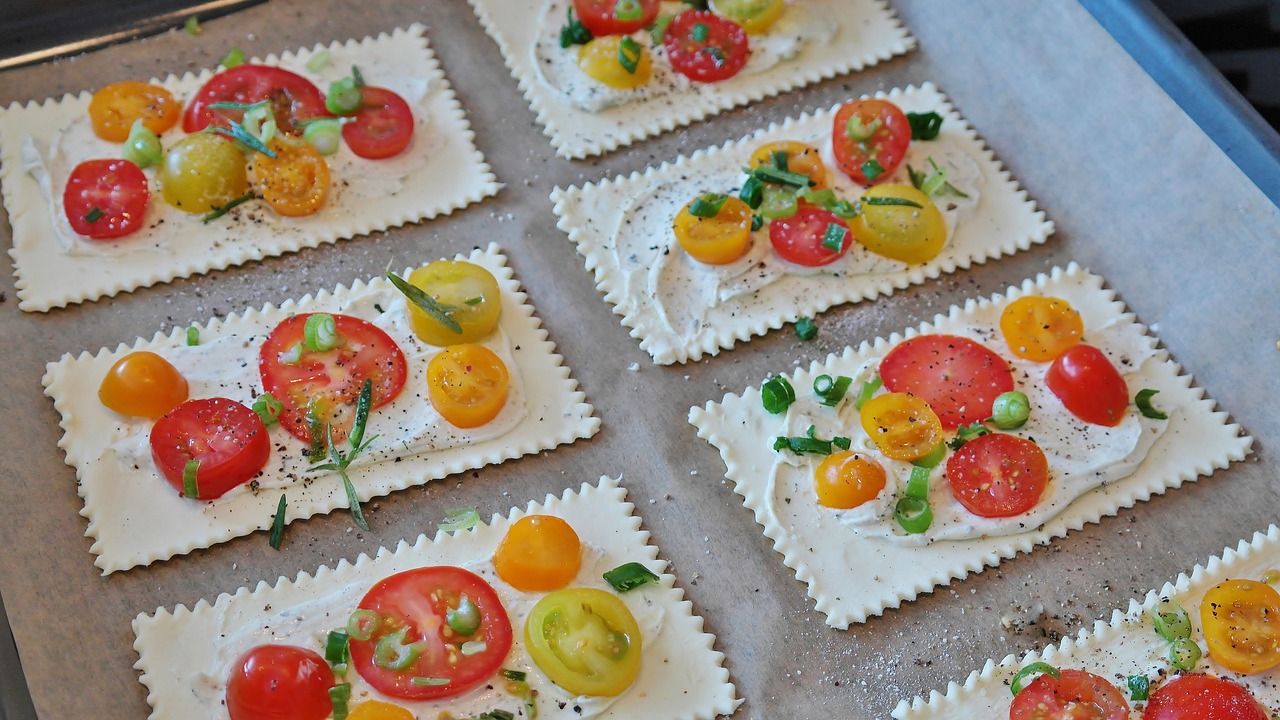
[330,382]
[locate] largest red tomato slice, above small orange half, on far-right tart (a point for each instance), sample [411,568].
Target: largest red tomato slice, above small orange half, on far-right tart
[958,377]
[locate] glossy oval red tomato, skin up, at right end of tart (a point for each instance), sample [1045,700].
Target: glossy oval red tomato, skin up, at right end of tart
[1090,386]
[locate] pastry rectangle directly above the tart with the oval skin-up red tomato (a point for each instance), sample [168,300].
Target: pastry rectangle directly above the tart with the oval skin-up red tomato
[683,304]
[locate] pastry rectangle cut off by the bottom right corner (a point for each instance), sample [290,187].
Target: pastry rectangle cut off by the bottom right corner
[1195,649]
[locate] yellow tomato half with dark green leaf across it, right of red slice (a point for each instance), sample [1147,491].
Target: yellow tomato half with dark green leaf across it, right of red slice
[913,233]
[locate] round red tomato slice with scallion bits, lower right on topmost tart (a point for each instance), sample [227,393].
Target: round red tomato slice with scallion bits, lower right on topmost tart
[705,47]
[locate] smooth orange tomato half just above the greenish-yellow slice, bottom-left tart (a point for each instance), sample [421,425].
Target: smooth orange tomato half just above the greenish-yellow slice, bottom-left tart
[540,554]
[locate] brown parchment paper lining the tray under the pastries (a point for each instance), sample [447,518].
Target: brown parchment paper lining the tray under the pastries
[1139,193]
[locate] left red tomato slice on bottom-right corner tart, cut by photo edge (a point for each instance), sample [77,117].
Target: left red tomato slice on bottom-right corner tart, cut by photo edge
[1076,695]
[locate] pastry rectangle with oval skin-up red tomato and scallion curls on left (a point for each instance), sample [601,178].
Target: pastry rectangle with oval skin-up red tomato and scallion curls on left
[934,454]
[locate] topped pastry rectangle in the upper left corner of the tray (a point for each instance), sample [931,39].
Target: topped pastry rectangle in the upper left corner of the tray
[57,197]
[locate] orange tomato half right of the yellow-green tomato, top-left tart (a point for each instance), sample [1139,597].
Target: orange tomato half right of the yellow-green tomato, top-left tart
[295,183]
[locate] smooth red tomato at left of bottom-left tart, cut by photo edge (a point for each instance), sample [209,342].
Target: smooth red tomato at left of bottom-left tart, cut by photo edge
[280,682]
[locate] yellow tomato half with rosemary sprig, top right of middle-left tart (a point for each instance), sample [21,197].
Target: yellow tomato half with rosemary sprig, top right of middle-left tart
[469,291]
